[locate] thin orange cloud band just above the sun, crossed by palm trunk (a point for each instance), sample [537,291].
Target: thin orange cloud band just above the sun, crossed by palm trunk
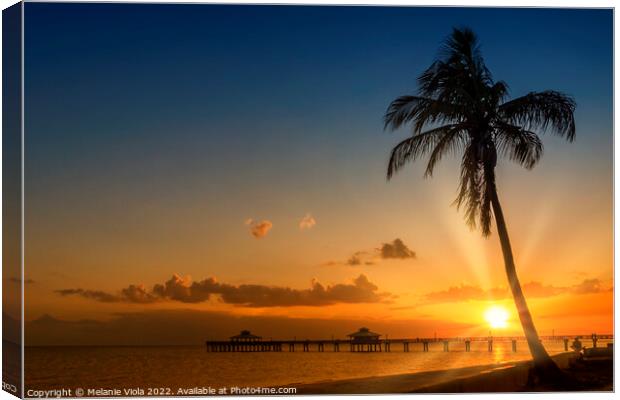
[533,289]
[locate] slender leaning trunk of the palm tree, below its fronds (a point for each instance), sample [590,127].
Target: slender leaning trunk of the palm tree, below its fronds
[543,364]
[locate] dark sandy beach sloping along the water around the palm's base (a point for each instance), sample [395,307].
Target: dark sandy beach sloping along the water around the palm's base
[501,377]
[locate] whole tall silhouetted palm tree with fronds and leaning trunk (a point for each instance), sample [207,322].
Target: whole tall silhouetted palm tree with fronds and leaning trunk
[459,107]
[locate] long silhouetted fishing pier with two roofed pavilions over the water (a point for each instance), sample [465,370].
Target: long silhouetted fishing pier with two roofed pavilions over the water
[366,341]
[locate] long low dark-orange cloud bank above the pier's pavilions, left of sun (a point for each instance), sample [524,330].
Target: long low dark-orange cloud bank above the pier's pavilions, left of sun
[361,290]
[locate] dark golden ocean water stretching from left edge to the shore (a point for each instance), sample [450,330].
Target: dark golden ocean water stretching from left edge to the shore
[177,367]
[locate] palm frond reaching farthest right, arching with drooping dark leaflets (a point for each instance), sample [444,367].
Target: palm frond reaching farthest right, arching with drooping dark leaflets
[548,110]
